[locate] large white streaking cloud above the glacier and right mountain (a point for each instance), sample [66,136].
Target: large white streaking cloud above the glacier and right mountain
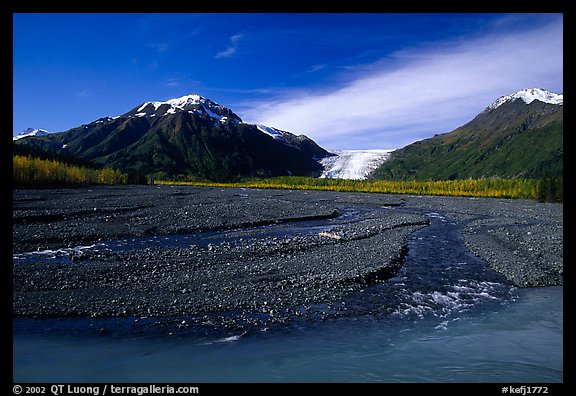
[418,93]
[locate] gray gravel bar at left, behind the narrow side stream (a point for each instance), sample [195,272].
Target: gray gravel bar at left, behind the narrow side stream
[66,217]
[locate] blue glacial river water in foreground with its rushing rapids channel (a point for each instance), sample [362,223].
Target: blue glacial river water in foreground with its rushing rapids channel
[444,317]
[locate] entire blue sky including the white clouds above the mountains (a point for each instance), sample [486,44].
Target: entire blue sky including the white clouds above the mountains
[348,81]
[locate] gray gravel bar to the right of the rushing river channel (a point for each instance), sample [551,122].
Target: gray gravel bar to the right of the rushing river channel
[521,239]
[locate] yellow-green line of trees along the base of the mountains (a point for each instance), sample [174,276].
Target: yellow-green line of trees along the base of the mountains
[33,171]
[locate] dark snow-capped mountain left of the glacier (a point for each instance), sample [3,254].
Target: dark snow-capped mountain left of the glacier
[190,136]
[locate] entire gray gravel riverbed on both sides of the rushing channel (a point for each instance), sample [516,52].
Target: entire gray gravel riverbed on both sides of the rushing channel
[244,279]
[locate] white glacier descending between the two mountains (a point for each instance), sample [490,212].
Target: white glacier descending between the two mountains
[353,164]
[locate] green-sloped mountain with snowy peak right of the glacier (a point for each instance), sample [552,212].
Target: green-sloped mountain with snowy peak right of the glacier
[519,135]
